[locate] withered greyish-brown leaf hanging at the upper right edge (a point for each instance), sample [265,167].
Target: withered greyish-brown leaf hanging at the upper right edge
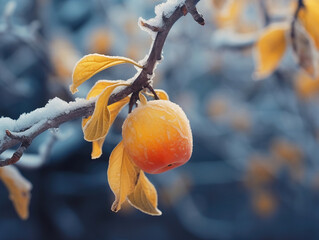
[304,49]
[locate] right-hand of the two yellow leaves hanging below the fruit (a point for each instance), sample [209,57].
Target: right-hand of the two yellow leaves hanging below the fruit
[144,196]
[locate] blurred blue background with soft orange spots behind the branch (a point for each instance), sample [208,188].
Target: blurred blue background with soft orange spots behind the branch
[254,169]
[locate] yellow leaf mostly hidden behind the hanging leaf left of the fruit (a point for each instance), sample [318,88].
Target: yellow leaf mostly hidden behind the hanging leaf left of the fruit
[114,109]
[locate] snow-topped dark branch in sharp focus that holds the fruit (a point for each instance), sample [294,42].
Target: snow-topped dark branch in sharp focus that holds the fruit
[57,112]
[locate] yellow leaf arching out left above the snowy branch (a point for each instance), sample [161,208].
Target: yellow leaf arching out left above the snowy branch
[91,64]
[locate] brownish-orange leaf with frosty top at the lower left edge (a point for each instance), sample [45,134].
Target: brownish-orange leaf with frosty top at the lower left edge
[19,189]
